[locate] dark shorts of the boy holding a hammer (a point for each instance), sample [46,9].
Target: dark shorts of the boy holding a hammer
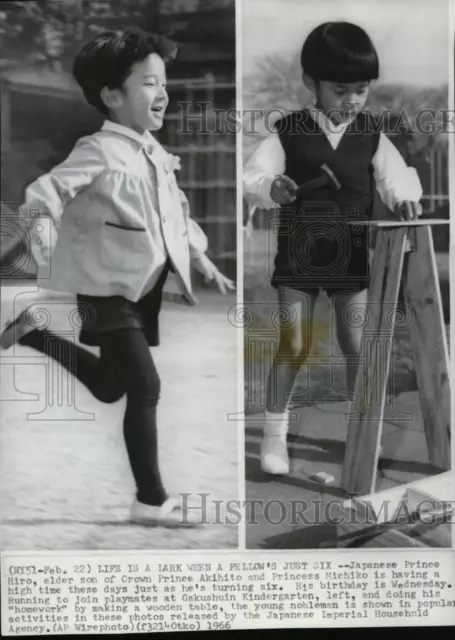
[307,262]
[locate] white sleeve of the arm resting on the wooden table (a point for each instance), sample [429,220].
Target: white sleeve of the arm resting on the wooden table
[395,181]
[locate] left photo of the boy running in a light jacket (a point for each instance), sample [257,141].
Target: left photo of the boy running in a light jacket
[118,364]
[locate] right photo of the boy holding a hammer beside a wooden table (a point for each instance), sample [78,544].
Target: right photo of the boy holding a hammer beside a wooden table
[346,274]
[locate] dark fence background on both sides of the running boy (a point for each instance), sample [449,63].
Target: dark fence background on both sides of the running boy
[39,126]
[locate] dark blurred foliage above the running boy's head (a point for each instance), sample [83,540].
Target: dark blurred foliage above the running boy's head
[49,33]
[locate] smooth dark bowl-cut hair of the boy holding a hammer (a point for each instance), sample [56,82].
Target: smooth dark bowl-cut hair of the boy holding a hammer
[339,52]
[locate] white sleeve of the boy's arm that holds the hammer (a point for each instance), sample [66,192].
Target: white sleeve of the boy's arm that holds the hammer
[266,163]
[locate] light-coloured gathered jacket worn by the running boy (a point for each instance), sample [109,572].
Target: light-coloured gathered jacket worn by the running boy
[104,221]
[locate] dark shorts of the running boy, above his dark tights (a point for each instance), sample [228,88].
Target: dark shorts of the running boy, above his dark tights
[101,314]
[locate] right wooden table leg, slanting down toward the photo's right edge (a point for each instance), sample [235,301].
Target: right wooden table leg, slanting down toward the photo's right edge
[429,346]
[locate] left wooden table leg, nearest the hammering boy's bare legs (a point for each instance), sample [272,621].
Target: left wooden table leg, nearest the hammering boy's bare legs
[364,431]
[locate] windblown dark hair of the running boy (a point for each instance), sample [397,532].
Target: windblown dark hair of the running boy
[106,60]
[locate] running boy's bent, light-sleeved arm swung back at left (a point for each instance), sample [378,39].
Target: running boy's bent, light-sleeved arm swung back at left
[46,197]
